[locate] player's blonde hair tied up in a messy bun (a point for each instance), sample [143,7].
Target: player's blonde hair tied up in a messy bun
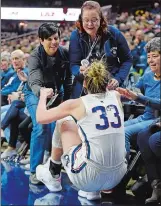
[96,77]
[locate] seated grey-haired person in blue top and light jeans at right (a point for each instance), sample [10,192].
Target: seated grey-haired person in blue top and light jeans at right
[149,83]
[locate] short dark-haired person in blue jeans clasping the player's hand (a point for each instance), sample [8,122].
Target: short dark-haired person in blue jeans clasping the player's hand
[48,67]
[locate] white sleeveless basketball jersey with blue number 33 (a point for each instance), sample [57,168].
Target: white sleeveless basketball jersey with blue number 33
[103,129]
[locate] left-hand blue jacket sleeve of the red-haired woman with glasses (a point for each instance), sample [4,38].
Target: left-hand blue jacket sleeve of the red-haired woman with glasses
[75,55]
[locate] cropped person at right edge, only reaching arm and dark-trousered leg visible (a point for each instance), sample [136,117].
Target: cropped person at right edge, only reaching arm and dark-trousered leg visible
[149,142]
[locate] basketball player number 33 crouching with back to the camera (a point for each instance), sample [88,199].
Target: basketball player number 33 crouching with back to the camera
[89,137]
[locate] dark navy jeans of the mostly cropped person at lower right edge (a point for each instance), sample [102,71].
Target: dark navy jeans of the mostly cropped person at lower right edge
[150,147]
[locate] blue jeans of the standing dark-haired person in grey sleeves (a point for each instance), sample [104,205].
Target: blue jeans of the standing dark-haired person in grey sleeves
[41,136]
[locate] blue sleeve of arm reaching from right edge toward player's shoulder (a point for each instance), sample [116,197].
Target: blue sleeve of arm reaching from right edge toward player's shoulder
[154,103]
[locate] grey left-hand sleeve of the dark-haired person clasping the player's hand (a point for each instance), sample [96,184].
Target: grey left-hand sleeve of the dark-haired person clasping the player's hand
[35,78]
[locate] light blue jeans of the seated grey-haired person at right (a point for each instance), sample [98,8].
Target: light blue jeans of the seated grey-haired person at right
[132,128]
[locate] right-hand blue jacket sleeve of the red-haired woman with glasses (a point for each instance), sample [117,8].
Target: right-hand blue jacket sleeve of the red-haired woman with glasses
[124,56]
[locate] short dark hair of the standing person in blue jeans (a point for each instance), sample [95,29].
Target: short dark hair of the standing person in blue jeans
[48,29]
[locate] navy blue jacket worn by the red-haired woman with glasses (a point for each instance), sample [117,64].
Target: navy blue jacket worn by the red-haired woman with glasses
[119,61]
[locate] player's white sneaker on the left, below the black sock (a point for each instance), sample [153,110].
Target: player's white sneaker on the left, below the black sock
[43,174]
